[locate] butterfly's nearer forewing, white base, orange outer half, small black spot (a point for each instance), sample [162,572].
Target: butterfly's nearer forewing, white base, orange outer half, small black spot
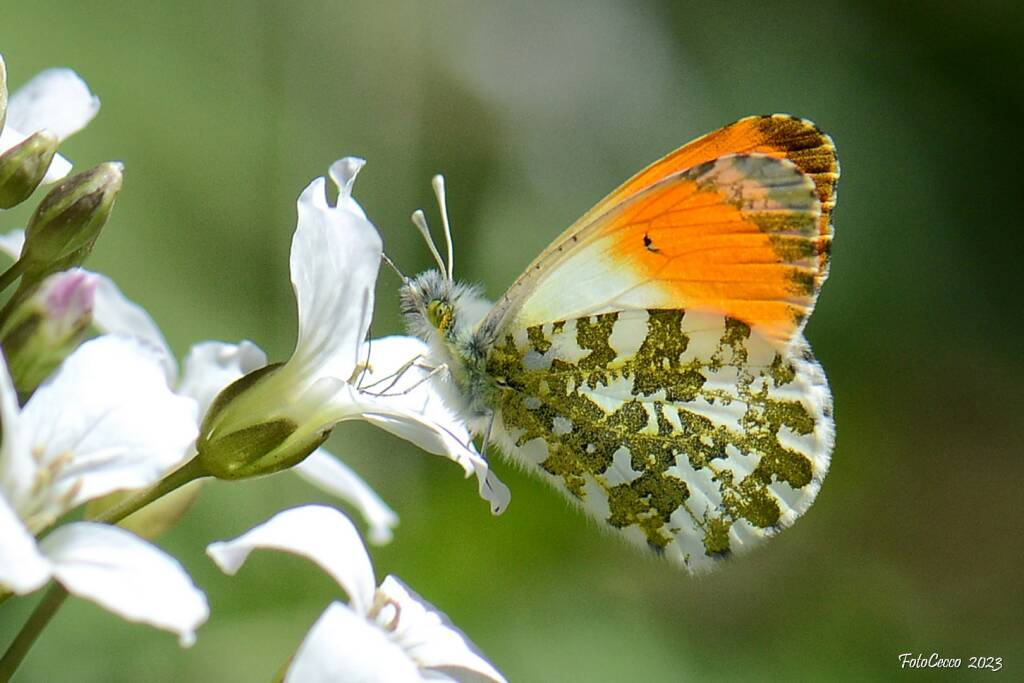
[738,236]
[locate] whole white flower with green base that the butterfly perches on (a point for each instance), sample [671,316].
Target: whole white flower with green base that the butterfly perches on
[335,258]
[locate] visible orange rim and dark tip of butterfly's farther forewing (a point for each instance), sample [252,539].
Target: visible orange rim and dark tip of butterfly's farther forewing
[779,136]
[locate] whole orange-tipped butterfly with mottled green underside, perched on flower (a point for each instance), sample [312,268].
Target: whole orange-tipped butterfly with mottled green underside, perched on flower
[651,363]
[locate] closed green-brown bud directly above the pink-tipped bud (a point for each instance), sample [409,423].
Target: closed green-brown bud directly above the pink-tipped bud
[66,225]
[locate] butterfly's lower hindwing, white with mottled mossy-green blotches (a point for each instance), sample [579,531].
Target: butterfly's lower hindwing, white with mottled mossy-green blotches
[687,432]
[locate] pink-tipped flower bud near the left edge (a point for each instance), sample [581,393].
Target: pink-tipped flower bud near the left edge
[47,327]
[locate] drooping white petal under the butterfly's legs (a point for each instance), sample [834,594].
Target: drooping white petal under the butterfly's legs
[399,395]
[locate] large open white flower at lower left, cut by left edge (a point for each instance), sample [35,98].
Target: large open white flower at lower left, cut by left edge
[106,421]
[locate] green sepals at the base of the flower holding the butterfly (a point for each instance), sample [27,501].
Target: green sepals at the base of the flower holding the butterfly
[232,449]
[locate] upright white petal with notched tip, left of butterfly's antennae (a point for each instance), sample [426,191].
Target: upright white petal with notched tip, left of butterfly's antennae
[335,257]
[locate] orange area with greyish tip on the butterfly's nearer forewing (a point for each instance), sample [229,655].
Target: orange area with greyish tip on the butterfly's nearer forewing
[737,236]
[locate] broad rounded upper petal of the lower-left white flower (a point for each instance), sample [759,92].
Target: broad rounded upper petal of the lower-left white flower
[107,421]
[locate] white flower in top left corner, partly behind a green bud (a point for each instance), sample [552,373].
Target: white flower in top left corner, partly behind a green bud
[56,100]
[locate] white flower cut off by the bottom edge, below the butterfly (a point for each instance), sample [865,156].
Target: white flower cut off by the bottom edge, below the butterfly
[386,634]
